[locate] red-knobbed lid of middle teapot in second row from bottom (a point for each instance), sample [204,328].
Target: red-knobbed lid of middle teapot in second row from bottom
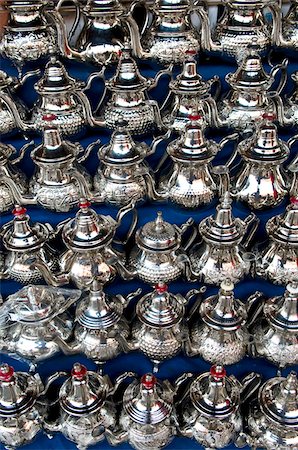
[160,308]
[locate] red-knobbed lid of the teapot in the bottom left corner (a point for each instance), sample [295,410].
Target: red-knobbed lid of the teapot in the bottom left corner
[18,391]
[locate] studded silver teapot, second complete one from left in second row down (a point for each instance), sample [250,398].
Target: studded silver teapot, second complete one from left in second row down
[128,98]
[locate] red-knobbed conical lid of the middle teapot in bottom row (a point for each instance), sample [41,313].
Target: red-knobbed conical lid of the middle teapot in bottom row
[144,401]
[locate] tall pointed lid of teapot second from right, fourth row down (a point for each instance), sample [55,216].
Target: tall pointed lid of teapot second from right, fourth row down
[223,228]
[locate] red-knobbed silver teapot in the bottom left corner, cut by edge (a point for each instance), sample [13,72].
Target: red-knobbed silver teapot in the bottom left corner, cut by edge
[21,407]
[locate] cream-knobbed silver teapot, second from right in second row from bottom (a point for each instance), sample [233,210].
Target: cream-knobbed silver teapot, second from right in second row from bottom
[220,333]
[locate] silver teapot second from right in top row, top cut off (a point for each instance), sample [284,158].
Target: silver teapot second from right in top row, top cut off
[241,23]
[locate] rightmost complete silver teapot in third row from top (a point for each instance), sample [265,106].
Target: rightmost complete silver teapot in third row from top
[261,181]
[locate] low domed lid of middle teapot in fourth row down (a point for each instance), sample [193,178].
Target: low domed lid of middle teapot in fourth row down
[158,235]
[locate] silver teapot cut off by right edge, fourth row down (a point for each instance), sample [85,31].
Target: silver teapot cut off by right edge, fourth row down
[278,261]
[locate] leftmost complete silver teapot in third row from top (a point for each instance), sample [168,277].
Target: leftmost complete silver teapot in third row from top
[59,180]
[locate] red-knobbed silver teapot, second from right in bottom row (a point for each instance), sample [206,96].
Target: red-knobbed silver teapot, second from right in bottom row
[211,407]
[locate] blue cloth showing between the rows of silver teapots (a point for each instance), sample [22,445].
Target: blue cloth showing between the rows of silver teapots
[171,369]
